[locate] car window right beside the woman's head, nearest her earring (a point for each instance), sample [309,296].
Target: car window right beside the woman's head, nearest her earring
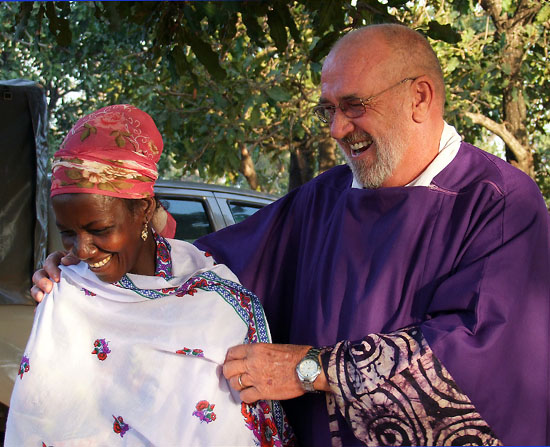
[191,218]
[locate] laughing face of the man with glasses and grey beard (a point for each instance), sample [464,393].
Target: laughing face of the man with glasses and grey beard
[375,142]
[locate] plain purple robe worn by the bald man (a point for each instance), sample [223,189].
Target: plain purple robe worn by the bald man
[465,259]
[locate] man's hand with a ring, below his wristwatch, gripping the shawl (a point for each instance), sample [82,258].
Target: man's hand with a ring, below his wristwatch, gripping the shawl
[267,371]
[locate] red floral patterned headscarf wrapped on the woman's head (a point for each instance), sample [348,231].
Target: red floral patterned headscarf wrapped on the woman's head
[113,152]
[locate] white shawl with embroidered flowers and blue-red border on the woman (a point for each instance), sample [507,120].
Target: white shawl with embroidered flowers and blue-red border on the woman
[108,364]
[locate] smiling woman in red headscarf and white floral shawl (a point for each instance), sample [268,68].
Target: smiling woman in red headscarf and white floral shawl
[127,349]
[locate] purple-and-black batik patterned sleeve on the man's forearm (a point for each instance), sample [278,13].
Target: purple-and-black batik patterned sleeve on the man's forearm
[392,390]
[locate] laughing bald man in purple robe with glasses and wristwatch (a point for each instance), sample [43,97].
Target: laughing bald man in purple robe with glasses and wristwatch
[408,290]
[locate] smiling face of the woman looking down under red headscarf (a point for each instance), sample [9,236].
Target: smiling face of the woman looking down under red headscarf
[104,233]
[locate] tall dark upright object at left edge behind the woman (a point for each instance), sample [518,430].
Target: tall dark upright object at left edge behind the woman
[23,191]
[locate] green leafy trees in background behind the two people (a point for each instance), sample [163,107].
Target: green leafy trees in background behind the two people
[231,84]
